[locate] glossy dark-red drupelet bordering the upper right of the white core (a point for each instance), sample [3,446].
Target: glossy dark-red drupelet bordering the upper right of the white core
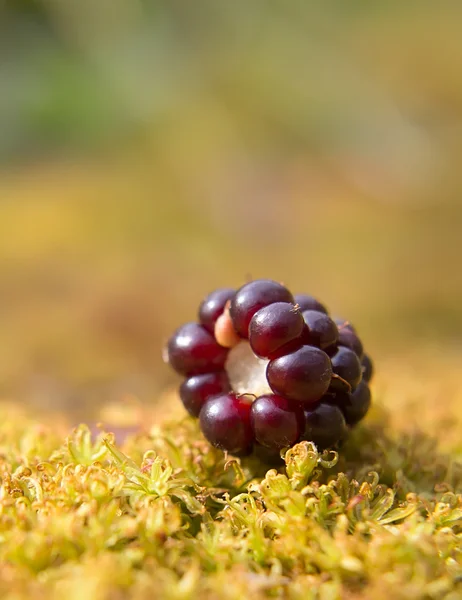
[274,326]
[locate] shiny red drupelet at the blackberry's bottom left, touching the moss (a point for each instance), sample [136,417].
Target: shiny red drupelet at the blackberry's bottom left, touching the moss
[225,422]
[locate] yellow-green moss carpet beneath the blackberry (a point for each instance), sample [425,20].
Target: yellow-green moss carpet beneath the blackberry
[165,516]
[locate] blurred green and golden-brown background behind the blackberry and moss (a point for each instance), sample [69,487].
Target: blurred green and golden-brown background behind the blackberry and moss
[151,151]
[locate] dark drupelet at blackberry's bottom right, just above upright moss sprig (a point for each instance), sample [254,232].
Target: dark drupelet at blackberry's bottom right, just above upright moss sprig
[324,426]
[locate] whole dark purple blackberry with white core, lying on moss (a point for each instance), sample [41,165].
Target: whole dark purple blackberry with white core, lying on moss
[264,369]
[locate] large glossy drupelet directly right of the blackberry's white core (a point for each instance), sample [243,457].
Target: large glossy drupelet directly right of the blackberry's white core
[303,375]
